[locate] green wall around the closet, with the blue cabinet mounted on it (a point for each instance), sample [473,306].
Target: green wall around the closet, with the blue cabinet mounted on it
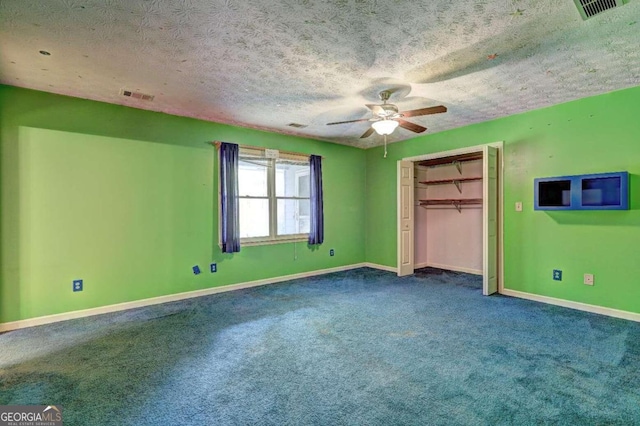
[598,134]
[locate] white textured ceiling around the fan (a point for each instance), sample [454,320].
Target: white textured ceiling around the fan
[265,64]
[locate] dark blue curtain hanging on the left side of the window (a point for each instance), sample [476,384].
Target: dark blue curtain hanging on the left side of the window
[230,229]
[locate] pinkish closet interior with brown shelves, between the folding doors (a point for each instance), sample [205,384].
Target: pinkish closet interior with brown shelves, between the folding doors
[449,236]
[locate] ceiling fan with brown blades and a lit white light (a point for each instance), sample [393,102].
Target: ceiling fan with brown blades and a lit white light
[387,117]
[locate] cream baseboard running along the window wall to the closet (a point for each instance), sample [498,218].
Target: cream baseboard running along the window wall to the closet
[48,319]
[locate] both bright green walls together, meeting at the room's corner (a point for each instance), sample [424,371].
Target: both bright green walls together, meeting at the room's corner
[125,199]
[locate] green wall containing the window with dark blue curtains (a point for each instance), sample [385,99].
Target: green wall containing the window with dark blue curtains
[126,200]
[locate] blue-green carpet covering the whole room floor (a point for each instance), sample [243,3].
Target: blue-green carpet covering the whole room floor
[361,347]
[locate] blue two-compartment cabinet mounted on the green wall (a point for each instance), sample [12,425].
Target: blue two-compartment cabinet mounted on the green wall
[602,191]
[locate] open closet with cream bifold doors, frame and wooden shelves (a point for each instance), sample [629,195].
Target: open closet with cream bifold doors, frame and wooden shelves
[449,213]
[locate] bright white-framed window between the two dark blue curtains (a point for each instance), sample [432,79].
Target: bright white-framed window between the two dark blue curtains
[273,196]
